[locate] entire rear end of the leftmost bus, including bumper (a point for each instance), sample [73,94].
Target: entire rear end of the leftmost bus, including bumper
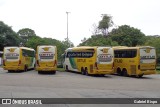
[11,59]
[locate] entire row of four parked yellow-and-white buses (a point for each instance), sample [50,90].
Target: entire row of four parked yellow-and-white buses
[87,60]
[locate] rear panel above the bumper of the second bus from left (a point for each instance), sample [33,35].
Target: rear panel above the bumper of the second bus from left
[46,56]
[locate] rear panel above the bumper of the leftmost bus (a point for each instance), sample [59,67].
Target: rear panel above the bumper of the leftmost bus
[11,56]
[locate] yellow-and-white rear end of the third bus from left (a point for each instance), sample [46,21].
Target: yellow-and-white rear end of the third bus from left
[104,63]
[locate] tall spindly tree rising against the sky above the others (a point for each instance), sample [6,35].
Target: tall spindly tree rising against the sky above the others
[105,23]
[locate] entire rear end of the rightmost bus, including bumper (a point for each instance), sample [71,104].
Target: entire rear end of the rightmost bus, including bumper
[147,64]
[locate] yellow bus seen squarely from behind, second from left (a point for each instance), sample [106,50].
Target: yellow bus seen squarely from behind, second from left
[46,59]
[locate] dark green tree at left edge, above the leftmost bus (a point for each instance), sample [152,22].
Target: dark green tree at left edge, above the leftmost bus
[7,36]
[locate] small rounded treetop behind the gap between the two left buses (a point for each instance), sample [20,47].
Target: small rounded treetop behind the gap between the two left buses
[25,34]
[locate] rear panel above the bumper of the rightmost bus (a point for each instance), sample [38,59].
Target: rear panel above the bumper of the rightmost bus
[147,58]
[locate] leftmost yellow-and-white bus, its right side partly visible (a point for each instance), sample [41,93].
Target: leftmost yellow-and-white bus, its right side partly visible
[18,58]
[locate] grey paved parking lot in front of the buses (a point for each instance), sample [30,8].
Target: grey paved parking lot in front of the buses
[72,85]
